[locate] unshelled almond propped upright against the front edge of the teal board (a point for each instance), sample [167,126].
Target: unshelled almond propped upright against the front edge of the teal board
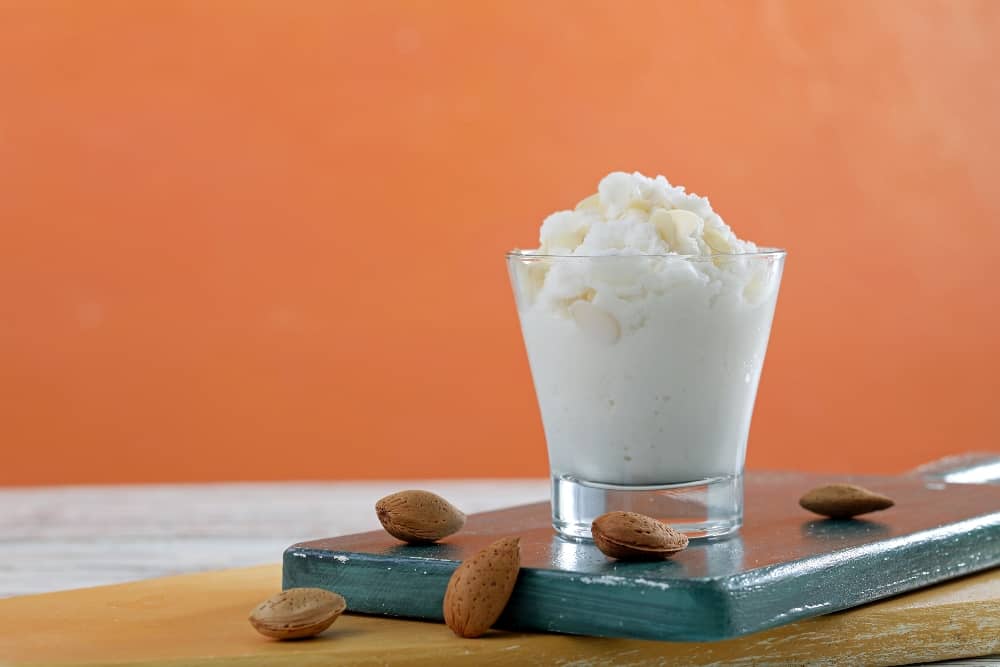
[479,589]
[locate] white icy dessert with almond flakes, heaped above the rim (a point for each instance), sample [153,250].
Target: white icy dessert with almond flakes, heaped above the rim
[645,321]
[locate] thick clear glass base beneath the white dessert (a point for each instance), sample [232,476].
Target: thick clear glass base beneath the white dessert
[704,508]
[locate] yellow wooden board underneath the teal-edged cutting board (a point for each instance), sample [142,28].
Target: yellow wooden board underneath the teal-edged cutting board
[200,619]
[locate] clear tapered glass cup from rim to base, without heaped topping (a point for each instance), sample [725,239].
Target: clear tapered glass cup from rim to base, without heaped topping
[646,369]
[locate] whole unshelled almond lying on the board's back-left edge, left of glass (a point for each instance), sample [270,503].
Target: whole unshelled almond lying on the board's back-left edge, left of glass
[418,517]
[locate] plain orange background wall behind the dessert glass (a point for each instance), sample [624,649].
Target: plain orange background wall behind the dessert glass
[263,240]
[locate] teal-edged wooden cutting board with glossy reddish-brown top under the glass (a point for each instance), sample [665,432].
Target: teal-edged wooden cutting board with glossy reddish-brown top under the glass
[784,565]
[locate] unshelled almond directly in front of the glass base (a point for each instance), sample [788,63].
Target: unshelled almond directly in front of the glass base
[633,536]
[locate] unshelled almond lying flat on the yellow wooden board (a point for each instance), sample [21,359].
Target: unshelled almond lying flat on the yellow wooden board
[297,613]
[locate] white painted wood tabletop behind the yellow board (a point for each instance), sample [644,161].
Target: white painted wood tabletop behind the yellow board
[55,538]
